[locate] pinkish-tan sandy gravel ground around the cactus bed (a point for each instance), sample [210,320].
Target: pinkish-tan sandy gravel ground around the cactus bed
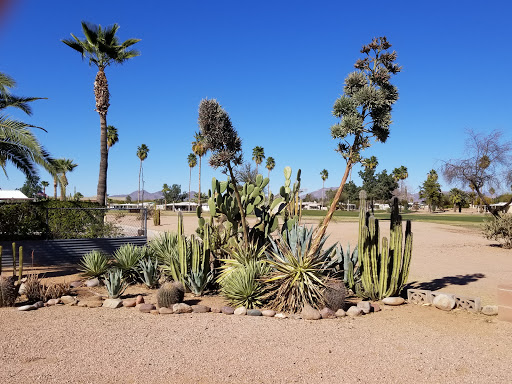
[399,344]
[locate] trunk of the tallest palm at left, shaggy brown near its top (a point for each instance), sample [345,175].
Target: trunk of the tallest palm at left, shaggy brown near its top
[102,103]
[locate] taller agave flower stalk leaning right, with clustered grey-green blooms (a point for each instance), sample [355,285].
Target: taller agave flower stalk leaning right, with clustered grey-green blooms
[364,111]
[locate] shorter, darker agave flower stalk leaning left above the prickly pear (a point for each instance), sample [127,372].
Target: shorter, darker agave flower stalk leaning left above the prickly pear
[222,140]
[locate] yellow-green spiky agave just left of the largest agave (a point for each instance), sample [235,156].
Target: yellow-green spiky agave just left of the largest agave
[240,277]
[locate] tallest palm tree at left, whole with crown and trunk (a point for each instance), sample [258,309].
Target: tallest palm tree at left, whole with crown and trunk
[102,47]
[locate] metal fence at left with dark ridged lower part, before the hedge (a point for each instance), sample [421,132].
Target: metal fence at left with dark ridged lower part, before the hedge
[69,233]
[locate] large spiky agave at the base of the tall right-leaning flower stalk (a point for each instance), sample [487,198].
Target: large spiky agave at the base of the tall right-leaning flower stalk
[298,276]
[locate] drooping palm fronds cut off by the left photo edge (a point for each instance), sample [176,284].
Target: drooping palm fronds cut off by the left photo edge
[18,145]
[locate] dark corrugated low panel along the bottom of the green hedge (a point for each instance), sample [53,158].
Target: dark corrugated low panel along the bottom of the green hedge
[63,252]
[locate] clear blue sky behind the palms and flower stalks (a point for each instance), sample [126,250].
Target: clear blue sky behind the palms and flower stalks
[276,67]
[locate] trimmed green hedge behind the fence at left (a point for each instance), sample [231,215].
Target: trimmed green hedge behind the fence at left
[52,219]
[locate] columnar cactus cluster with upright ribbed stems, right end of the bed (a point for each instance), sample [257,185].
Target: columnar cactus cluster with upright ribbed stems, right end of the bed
[384,267]
